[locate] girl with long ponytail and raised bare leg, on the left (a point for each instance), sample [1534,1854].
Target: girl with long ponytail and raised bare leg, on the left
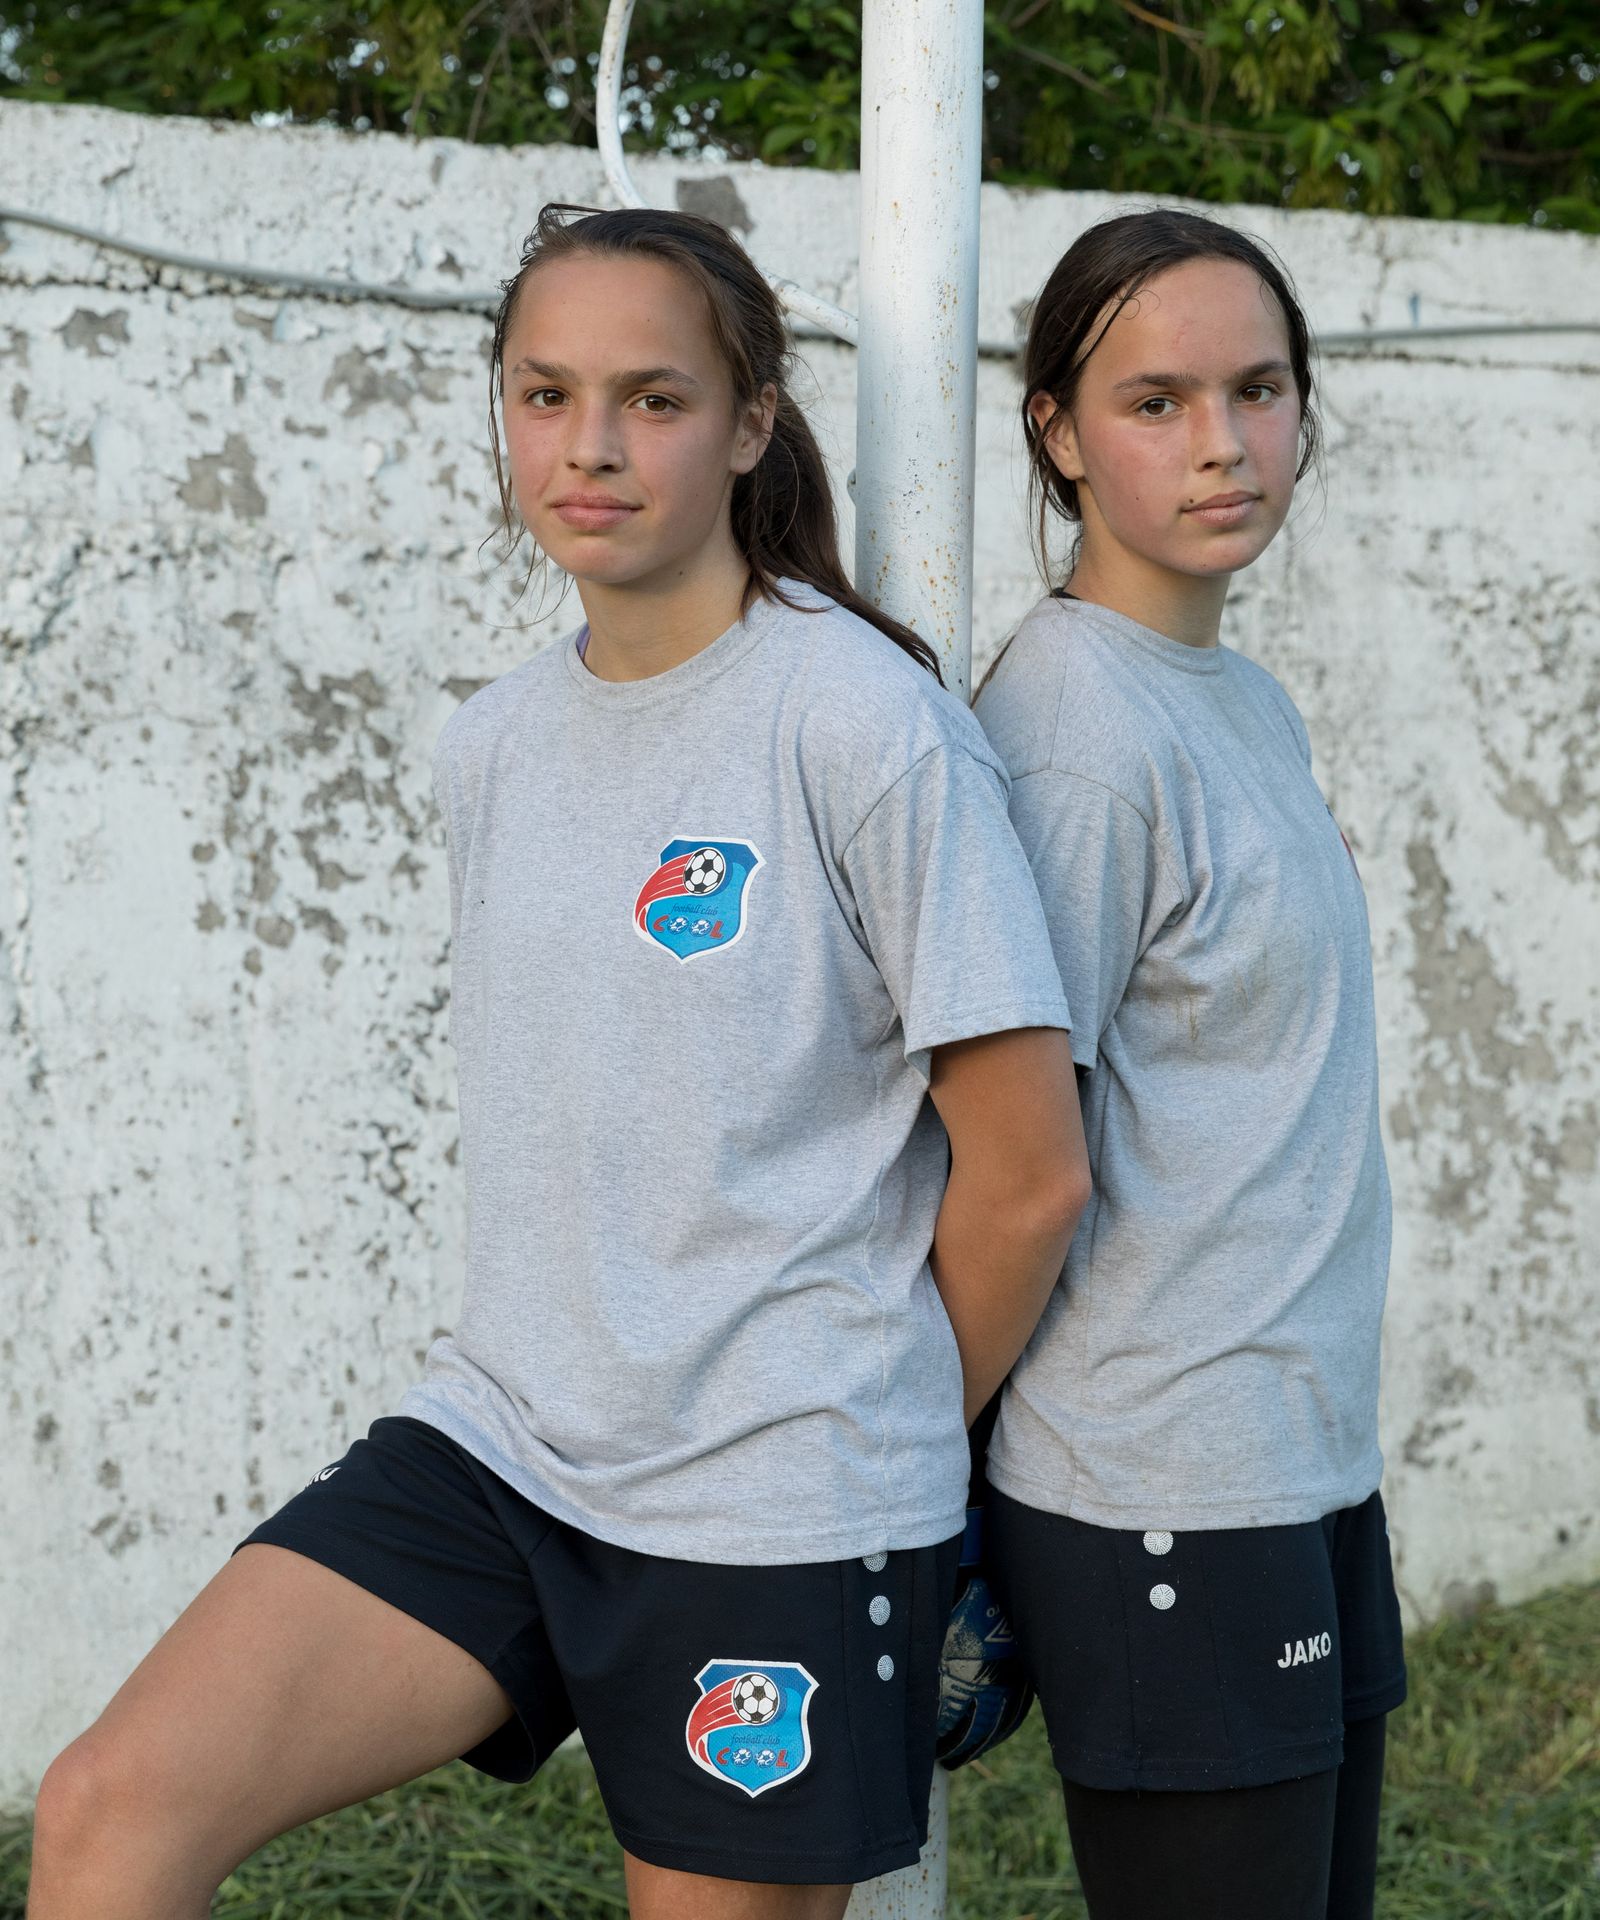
[771,1163]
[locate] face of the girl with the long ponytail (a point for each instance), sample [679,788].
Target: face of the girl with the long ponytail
[619,421]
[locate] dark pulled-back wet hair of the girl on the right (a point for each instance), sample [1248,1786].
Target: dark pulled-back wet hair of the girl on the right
[1092,283]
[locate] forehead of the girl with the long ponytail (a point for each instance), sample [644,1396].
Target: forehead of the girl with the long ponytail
[625,312]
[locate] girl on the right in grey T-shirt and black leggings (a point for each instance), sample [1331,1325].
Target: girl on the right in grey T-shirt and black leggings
[1188,1527]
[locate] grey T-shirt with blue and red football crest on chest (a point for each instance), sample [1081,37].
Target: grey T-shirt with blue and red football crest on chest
[708,930]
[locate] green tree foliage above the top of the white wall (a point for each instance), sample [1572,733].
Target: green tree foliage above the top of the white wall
[1457,108]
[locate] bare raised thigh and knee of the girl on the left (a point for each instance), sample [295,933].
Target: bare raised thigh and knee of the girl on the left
[281,1694]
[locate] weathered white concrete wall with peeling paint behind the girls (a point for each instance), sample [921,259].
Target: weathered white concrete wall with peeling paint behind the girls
[239,594]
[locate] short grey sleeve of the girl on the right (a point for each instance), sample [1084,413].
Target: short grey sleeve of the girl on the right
[1103,884]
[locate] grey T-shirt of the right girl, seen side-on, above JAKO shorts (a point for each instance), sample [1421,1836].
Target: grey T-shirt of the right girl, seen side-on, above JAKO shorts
[1211,1353]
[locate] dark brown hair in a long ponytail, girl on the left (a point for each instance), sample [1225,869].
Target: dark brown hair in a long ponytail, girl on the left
[783,510]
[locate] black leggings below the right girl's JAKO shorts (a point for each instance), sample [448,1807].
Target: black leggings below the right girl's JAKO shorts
[1297,1850]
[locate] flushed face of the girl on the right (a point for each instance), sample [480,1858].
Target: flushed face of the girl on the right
[1186,429]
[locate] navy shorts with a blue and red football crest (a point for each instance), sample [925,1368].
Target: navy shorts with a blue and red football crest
[756,1723]
